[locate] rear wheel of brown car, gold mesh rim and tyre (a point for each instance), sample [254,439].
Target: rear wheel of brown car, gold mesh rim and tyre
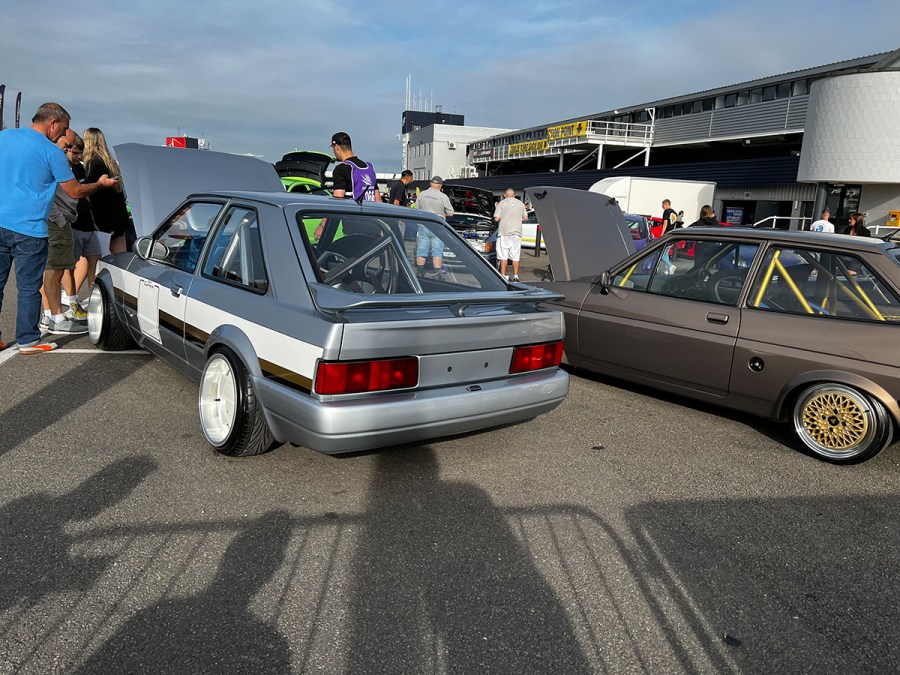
[841,424]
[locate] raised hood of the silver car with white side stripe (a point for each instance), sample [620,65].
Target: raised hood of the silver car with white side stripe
[157,179]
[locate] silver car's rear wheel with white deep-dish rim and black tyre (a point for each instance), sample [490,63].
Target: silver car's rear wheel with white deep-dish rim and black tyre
[230,414]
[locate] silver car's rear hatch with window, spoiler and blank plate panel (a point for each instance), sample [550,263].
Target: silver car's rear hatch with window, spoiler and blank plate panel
[463,315]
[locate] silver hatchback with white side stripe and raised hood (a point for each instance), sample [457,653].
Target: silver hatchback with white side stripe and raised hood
[329,340]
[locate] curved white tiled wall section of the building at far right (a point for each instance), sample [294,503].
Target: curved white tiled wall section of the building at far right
[852,132]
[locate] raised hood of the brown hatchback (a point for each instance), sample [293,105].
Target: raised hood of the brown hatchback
[585,232]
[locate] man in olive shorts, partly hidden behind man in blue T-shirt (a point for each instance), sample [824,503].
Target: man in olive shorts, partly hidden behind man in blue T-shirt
[60,256]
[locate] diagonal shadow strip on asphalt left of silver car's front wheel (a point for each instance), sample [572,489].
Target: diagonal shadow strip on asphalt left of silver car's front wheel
[68,392]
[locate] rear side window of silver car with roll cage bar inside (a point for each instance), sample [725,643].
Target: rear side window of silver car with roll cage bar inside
[235,255]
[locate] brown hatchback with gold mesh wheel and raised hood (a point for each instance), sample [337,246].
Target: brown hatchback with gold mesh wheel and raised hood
[795,326]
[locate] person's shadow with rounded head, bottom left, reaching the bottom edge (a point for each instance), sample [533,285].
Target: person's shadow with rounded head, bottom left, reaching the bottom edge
[213,632]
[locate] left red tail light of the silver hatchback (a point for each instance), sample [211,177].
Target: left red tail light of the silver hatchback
[354,377]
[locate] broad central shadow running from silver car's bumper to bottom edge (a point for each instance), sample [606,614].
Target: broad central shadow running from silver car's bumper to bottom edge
[444,584]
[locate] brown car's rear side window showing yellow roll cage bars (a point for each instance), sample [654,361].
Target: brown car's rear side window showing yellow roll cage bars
[822,284]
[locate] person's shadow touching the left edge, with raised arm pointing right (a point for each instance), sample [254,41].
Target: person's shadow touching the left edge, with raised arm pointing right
[34,548]
